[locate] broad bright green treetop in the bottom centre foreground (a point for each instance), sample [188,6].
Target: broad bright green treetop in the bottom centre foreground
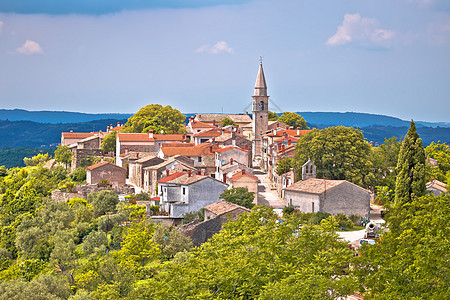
[251,258]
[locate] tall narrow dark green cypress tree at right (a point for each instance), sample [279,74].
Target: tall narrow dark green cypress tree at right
[410,182]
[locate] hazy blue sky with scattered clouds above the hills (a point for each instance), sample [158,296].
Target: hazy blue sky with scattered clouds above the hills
[387,56]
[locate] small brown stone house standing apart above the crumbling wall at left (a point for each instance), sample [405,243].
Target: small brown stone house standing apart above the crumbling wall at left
[106,171]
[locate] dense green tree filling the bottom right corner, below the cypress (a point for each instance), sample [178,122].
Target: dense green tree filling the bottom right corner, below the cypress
[411,263]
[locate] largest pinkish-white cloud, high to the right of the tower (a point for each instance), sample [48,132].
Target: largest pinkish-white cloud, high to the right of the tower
[354,28]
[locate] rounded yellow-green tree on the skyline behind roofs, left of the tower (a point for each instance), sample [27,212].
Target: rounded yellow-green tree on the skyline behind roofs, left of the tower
[157,118]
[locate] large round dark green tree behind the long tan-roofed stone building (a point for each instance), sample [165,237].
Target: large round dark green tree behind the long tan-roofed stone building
[338,153]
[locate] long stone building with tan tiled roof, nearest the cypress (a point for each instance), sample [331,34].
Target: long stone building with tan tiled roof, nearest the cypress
[330,196]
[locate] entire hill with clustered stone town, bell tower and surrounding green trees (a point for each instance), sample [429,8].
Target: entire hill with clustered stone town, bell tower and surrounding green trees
[251,205]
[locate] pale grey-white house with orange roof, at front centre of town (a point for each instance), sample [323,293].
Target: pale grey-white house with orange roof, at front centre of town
[182,193]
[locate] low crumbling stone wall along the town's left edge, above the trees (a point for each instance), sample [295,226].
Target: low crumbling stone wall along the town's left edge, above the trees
[83,191]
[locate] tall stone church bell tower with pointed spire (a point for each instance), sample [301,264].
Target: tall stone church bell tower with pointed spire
[260,110]
